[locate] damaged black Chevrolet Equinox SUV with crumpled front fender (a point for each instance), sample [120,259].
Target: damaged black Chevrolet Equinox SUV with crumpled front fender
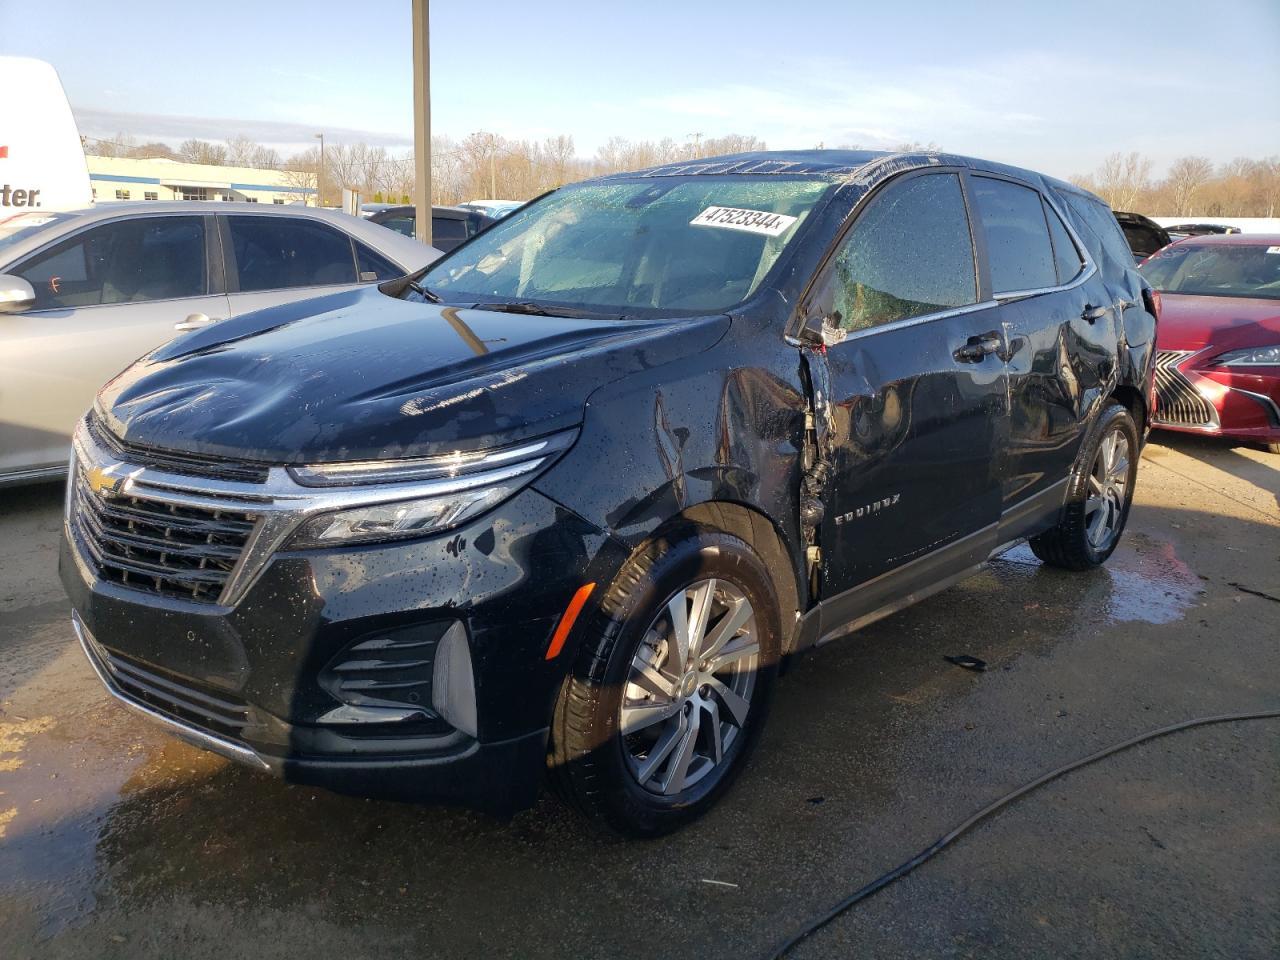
[566,499]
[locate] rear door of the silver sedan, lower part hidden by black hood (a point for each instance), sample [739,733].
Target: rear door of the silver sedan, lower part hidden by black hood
[276,260]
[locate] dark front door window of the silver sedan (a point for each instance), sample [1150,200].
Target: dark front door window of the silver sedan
[129,262]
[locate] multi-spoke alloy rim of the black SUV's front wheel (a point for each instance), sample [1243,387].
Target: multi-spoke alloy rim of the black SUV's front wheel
[689,687]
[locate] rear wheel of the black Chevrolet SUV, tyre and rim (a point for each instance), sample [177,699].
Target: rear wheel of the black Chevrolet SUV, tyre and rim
[1099,496]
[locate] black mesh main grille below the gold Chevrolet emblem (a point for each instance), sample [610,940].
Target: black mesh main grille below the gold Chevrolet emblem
[177,551]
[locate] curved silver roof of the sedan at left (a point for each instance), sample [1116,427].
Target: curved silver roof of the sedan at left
[405,252]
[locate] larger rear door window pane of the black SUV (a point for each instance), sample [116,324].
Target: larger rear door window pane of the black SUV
[1018,244]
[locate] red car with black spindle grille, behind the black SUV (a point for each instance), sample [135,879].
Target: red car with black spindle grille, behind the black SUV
[1218,362]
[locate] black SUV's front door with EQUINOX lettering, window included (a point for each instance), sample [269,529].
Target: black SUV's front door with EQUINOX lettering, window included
[918,410]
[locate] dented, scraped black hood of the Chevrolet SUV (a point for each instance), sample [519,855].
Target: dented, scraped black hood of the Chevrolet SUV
[362,376]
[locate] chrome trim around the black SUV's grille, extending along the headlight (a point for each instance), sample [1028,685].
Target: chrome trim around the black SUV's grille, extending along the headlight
[281,505]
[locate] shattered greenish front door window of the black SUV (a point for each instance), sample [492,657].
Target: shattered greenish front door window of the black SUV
[909,254]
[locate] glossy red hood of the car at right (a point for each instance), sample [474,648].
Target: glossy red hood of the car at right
[1227,323]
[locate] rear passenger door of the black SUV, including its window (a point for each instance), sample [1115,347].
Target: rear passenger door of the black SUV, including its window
[1062,344]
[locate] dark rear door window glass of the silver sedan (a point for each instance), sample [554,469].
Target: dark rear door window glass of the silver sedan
[280,253]
